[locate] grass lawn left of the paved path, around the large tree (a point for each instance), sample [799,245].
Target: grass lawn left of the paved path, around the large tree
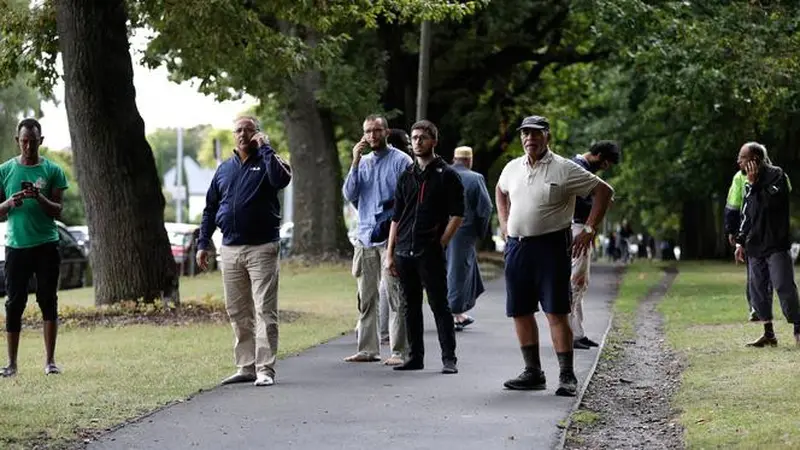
[113,374]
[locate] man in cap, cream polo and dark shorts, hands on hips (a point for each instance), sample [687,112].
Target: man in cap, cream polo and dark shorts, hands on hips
[535,204]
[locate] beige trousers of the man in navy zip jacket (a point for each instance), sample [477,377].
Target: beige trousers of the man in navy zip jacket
[250,281]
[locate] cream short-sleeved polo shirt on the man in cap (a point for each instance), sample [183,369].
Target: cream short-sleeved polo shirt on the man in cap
[542,195]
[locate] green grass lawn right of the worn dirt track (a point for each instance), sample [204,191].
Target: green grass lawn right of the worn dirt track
[731,396]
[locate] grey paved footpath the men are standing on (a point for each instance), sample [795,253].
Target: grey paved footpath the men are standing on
[321,402]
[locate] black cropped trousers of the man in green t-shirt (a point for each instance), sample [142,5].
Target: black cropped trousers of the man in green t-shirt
[43,261]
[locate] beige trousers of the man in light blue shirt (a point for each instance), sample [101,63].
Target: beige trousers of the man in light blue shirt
[369,269]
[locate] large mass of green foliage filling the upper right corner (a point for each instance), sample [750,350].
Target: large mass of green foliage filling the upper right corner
[684,87]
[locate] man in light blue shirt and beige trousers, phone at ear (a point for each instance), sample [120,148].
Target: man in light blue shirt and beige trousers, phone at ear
[370,187]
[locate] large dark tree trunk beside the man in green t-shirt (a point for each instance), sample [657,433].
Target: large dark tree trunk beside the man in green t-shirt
[131,257]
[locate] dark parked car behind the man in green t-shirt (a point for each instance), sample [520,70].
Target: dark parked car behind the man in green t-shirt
[74,263]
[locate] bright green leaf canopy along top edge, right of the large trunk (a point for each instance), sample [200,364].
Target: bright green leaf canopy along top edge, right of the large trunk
[233,47]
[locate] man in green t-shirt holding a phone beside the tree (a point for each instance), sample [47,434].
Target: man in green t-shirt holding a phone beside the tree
[31,191]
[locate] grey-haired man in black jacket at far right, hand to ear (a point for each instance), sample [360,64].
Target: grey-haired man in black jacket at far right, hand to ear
[764,239]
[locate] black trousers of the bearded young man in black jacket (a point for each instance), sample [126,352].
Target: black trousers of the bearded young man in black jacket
[428,271]
